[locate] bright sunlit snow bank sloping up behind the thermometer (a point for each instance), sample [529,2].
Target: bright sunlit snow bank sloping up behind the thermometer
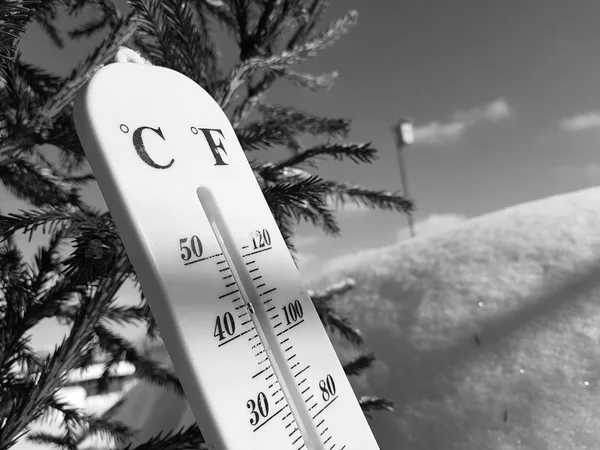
[487,333]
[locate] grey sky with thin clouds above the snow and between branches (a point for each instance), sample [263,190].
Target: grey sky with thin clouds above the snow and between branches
[504,96]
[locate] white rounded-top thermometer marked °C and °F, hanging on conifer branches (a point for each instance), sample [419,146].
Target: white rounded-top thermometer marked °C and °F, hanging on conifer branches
[256,364]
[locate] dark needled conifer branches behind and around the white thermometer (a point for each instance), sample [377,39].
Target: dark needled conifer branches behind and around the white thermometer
[78,288]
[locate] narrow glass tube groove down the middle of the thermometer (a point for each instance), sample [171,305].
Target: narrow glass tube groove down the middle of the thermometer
[260,318]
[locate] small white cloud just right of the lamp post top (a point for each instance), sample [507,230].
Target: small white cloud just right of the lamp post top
[436,133]
